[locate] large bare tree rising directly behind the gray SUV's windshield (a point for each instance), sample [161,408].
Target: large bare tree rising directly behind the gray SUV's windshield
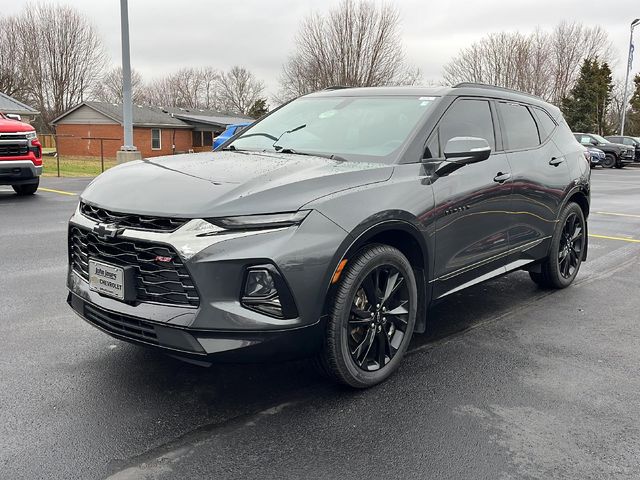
[356,44]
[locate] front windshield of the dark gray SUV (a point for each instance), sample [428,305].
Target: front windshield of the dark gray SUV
[354,128]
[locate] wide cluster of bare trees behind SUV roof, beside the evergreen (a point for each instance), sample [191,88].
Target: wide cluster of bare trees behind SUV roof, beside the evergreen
[546,64]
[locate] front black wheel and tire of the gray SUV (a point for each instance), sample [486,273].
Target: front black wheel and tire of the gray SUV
[372,318]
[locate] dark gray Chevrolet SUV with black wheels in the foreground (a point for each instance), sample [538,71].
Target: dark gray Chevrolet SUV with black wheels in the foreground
[329,227]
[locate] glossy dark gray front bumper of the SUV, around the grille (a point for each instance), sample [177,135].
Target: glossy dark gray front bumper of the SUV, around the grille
[220,326]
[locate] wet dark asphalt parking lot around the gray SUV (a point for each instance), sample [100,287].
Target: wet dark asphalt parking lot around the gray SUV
[512,382]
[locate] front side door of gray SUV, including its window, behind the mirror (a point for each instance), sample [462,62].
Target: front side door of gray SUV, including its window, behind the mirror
[472,203]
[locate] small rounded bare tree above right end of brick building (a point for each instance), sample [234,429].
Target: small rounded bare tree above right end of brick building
[238,90]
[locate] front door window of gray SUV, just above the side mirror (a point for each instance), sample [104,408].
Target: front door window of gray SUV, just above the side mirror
[465,118]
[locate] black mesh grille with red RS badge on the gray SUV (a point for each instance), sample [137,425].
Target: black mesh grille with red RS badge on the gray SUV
[161,282]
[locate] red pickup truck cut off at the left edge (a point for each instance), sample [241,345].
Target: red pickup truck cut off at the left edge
[20,156]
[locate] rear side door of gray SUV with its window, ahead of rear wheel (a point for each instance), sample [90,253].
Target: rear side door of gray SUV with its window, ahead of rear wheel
[540,176]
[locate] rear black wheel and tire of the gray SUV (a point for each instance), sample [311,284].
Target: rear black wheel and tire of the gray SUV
[562,264]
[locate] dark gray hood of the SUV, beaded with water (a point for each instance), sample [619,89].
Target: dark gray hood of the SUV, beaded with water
[216,184]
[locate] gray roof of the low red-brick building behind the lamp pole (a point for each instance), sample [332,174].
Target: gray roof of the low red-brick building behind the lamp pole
[148,116]
